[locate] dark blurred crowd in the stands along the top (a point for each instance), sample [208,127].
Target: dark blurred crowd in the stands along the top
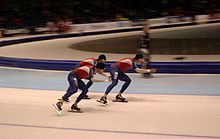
[18,13]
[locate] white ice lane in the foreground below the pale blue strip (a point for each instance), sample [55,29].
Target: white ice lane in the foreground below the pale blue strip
[29,114]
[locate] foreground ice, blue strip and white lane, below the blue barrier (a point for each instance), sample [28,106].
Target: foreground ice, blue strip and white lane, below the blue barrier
[165,107]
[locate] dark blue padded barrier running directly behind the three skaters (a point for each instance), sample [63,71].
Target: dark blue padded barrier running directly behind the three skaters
[67,65]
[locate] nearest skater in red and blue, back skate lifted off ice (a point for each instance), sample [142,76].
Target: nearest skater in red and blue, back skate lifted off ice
[75,82]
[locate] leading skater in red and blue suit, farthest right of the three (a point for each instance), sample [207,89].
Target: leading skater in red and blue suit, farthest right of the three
[118,73]
